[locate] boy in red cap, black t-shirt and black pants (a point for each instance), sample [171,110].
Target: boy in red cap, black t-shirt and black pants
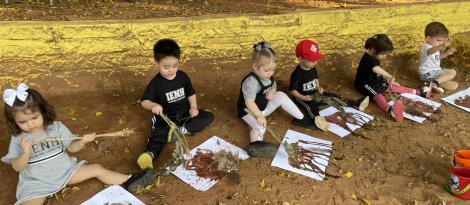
[304,85]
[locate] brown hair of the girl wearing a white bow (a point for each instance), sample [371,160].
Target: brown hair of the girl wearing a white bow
[34,102]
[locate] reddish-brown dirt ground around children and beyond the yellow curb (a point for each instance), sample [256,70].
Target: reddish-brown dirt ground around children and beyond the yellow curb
[403,163]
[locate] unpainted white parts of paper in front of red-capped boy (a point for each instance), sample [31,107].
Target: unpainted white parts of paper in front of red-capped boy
[336,129]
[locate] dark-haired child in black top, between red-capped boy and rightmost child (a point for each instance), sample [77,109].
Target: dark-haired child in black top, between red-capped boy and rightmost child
[372,80]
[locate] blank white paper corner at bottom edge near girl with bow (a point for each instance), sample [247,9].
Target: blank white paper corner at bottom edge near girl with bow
[113,194]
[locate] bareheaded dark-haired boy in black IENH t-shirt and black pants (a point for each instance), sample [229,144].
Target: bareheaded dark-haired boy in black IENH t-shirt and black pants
[171,93]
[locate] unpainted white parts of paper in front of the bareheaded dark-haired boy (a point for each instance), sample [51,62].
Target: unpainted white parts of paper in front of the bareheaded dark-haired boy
[214,144]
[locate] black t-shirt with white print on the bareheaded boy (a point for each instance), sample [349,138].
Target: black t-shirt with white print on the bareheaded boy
[172,95]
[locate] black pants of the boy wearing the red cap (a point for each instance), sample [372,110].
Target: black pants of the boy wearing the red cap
[312,107]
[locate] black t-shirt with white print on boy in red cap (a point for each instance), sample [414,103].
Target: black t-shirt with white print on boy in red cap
[304,81]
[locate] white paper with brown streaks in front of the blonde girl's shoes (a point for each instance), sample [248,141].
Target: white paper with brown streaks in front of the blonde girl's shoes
[281,158]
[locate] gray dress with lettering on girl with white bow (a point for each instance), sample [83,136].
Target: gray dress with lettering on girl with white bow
[49,167]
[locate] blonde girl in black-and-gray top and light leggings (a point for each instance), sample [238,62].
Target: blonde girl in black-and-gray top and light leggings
[258,94]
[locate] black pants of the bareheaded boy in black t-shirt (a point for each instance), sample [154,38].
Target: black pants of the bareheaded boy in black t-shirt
[159,133]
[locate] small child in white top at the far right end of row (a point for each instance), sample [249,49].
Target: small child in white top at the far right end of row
[430,71]
